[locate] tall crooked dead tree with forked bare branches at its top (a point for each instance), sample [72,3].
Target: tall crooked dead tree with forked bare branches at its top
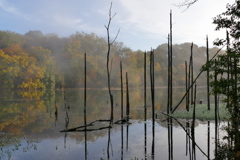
[108,55]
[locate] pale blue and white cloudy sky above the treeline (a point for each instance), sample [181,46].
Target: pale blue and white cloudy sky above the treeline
[143,23]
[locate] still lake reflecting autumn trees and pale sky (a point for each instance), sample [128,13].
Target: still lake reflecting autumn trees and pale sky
[31,122]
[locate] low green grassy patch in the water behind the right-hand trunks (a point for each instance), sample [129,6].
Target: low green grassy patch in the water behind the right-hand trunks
[202,113]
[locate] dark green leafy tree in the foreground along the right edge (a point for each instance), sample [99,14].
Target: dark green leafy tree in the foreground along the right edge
[226,69]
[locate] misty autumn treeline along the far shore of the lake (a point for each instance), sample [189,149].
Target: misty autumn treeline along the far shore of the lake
[37,61]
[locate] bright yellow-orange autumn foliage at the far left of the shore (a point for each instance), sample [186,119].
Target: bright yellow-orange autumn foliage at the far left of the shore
[28,69]
